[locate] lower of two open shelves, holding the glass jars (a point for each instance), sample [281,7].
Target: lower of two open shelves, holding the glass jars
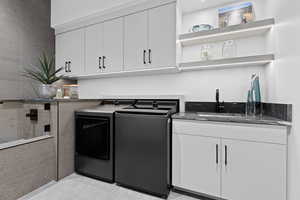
[257,60]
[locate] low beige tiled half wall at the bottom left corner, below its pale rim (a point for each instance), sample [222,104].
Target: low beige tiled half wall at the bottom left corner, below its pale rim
[26,167]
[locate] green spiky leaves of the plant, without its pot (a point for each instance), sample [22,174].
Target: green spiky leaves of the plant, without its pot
[44,72]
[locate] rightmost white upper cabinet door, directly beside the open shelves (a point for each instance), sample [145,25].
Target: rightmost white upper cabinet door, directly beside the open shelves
[162,36]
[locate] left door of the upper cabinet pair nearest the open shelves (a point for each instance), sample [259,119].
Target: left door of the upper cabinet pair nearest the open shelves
[135,41]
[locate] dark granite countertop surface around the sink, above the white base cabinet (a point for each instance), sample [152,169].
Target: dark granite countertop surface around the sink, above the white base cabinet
[229,117]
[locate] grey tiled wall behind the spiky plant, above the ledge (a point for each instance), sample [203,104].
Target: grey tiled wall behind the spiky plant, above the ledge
[25,34]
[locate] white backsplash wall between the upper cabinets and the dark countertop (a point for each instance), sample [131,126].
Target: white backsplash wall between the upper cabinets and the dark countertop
[197,85]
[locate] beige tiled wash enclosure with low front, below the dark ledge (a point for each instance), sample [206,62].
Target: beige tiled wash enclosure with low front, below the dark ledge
[29,164]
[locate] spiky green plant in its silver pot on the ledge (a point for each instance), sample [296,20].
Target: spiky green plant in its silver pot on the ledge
[46,74]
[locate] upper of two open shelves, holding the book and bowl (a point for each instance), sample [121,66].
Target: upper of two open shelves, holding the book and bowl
[228,33]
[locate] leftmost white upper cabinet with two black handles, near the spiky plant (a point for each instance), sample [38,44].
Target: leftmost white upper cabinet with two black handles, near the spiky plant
[70,52]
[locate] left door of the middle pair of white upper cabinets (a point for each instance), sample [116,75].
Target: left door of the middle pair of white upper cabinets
[94,49]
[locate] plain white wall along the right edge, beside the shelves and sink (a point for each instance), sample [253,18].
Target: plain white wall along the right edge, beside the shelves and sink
[283,78]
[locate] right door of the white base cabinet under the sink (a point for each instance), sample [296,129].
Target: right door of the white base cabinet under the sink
[253,170]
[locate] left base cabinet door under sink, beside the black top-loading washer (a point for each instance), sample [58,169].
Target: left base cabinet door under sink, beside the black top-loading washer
[196,164]
